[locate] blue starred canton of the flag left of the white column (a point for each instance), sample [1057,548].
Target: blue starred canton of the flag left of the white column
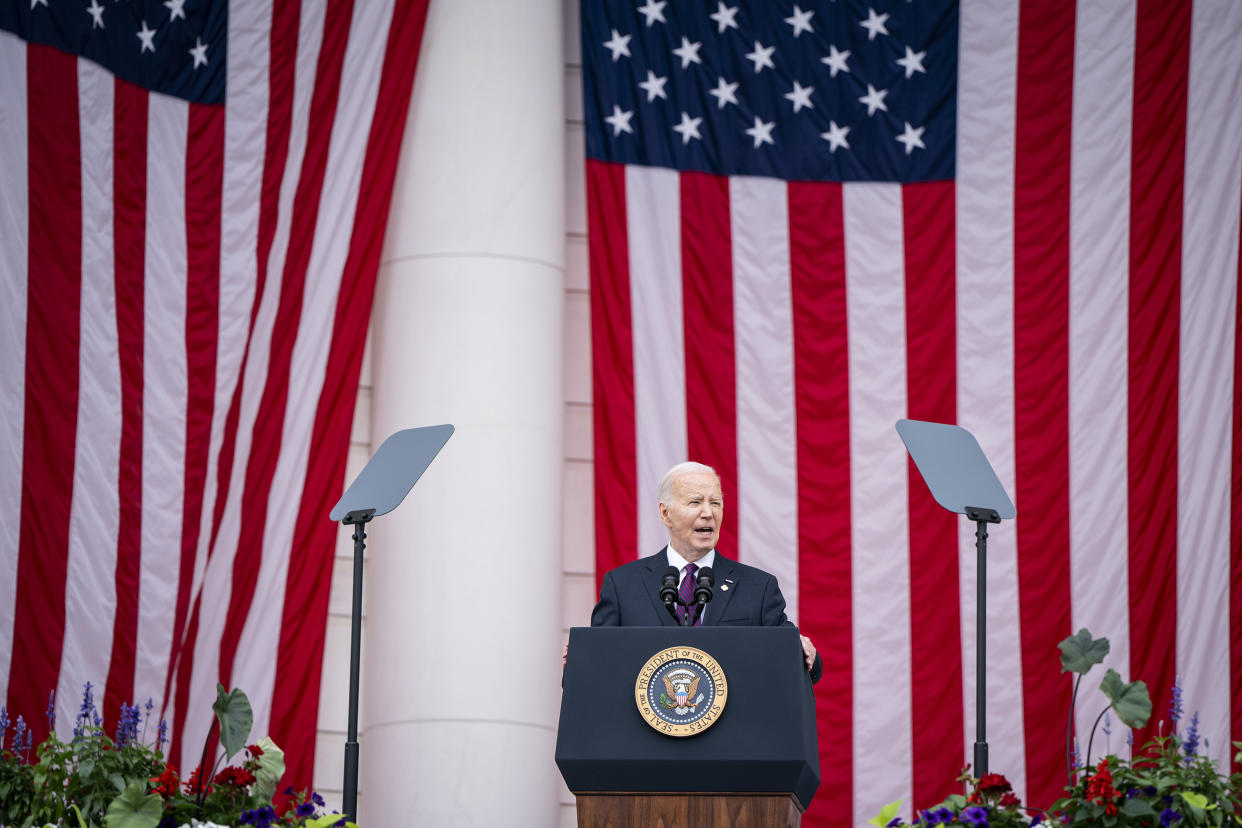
[172,47]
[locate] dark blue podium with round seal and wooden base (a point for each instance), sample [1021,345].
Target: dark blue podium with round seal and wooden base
[756,765]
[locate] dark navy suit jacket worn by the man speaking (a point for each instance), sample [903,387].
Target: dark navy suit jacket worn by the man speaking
[743,596]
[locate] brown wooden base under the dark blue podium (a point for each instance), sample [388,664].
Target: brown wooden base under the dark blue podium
[687,811]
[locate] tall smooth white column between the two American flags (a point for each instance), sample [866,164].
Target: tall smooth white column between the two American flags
[461,681]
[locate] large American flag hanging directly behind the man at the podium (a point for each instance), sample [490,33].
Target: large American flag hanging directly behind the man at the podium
[809,220]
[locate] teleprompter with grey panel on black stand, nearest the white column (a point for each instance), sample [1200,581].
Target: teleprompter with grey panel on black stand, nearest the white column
[379,488]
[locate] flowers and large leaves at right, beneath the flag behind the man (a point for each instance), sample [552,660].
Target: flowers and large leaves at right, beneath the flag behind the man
[1167,783]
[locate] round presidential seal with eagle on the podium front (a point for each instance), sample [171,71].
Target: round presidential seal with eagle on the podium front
[681,692]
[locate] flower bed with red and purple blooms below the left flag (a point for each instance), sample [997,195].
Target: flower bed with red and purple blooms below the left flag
[125,781]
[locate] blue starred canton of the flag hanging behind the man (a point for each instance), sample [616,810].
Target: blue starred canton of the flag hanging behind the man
[840,91]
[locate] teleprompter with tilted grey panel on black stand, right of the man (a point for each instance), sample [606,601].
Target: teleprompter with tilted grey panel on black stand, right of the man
[963,481]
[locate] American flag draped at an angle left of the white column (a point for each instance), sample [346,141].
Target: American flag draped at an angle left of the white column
[193,199]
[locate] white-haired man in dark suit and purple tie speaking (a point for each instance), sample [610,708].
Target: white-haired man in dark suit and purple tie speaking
[692,508]
